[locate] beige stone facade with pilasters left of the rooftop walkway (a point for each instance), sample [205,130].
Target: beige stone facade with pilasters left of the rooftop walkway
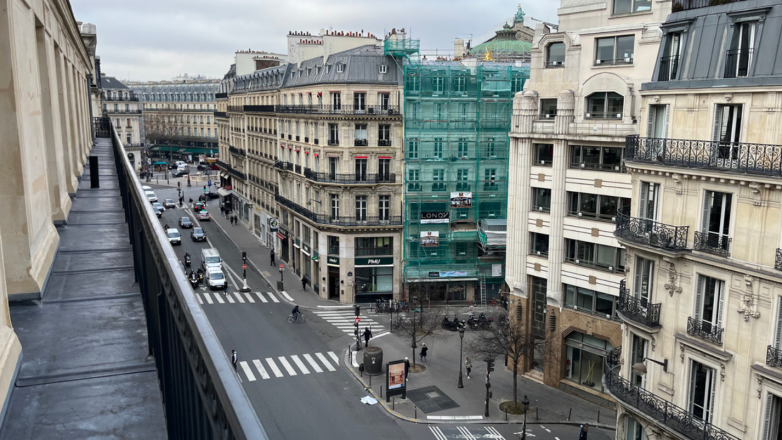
[47,95]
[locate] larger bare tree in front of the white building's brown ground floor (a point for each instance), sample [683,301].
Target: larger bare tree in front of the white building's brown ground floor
[504,338]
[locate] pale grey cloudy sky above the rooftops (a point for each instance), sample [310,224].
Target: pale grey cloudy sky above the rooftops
[160,39]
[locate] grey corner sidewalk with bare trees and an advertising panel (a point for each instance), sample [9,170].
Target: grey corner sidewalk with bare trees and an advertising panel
[467,405]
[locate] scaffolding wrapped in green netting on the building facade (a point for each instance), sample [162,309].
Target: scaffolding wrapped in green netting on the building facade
[457,120]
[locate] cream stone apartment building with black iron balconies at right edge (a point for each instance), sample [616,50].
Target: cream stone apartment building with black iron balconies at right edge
[701,349]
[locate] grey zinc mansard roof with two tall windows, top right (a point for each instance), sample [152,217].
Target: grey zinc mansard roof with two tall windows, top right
[706,36]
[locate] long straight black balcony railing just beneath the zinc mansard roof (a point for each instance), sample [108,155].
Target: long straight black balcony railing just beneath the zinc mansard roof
[764,159]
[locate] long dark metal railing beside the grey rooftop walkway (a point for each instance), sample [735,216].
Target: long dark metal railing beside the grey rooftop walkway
[202,396]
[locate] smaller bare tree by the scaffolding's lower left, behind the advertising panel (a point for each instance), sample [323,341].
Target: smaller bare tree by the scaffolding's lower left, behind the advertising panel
[419,323]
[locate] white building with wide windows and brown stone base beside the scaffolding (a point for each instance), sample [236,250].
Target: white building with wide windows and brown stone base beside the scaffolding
[567,182]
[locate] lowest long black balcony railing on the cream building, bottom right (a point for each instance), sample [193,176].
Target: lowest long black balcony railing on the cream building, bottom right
[656,408]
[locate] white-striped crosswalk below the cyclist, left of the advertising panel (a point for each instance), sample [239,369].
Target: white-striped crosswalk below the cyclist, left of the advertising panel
[283,366]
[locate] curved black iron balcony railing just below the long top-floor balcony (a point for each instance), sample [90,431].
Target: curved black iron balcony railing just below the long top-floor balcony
[649,232]
